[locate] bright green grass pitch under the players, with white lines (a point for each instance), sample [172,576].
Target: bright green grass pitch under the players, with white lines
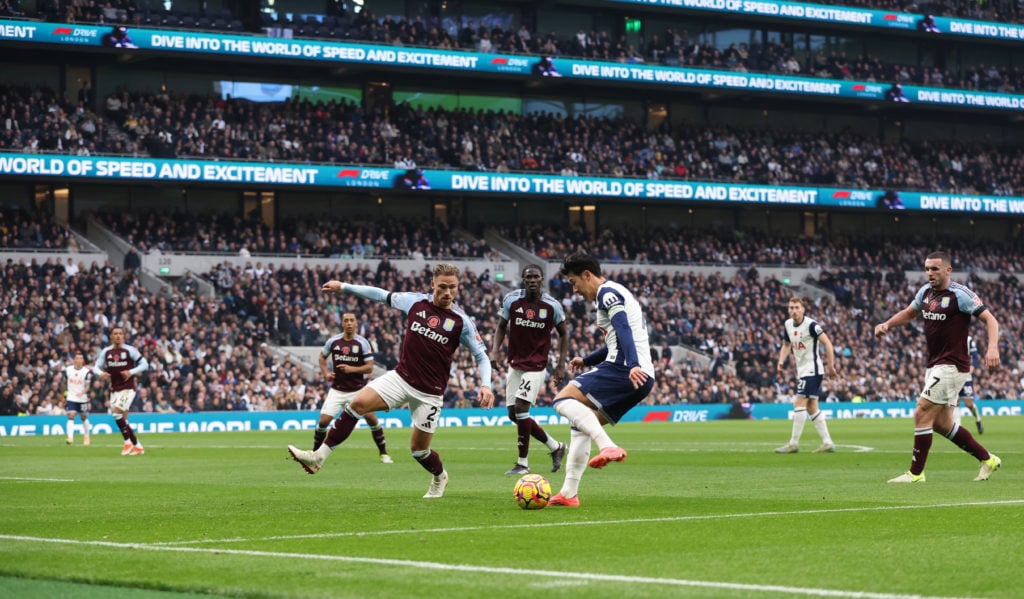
[697,510]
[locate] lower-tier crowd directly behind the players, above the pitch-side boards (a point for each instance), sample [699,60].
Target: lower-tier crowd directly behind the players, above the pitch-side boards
[217,354]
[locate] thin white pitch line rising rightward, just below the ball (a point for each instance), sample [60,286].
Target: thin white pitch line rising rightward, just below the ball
[590,523]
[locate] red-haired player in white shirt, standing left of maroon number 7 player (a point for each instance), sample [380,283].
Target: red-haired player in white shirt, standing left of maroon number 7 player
[802,338]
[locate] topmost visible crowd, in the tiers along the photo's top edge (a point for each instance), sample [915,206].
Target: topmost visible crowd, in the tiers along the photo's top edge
[672,48]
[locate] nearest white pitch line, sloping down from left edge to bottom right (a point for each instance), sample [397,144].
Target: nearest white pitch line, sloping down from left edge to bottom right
[518,573]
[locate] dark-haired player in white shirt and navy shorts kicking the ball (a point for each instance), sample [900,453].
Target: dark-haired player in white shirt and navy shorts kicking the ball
[623,377]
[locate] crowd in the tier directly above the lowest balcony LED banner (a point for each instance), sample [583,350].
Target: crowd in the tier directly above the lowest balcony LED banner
[162,125]
